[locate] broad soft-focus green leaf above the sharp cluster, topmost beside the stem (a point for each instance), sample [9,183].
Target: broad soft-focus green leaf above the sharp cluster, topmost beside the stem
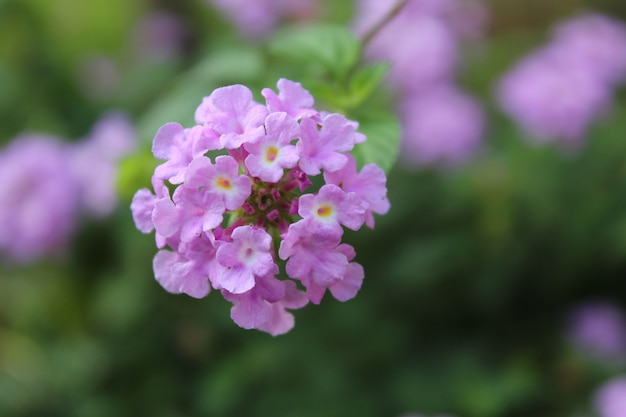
[330,47]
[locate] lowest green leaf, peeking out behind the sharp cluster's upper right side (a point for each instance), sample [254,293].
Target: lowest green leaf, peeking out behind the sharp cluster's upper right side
[383,140]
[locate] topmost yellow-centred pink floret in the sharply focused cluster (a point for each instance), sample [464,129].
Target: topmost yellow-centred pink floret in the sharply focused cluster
[273,152]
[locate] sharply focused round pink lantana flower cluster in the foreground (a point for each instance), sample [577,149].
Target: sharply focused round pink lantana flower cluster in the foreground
[230,220]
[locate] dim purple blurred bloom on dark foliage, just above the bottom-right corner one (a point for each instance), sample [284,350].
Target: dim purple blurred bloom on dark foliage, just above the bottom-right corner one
[599,330]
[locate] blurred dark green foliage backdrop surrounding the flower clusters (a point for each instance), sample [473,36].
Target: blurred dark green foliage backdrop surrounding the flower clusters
[495,286]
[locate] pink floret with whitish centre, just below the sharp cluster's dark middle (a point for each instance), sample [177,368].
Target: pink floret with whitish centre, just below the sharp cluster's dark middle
[247,256]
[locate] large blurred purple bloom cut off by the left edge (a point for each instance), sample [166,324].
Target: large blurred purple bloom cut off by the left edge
[39,198]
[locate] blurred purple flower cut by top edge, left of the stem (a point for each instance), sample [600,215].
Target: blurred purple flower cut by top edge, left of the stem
[257,18]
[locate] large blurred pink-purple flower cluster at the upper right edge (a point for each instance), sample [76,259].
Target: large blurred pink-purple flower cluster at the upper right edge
[556,92]
